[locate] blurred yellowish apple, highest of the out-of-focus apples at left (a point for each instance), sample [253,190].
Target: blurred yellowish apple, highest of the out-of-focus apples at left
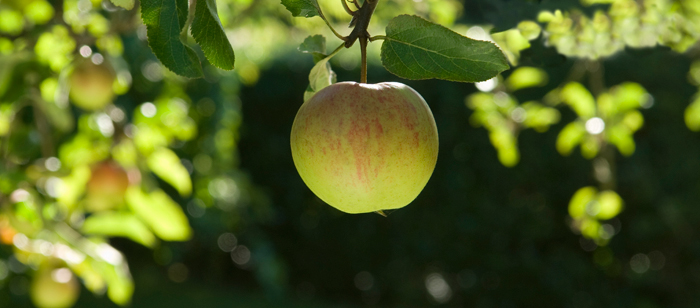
[91,86]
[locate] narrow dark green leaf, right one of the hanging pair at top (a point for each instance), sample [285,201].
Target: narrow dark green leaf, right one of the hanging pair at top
[209,34]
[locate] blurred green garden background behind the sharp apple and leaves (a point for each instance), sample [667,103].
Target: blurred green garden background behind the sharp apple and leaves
[83,170]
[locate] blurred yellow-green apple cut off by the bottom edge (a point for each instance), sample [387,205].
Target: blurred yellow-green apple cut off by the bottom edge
[54,288]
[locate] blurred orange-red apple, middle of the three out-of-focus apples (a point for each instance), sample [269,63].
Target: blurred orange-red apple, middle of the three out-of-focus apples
[106,188]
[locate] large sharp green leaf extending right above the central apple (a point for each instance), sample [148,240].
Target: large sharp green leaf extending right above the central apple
[415,48]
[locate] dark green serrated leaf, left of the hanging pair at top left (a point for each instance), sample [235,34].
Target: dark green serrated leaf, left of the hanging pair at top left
[164,21]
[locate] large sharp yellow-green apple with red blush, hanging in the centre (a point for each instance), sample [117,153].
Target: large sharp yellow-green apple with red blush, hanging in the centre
[365,147]
